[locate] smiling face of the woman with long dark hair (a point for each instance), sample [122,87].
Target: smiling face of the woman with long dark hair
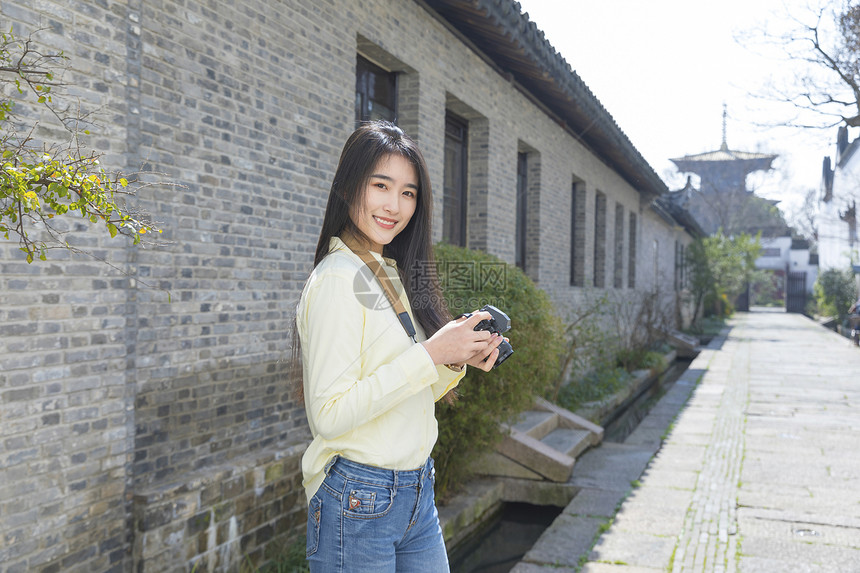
[389,201]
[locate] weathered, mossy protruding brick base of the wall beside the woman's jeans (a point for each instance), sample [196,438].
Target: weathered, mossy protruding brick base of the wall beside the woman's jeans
[221,518]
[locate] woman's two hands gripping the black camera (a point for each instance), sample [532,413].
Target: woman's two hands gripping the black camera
[458,342]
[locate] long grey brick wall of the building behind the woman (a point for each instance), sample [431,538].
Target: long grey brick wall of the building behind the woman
[143,414]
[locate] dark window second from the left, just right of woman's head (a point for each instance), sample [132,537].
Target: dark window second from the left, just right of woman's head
[456,175]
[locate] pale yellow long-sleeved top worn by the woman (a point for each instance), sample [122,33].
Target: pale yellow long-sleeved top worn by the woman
[369,390]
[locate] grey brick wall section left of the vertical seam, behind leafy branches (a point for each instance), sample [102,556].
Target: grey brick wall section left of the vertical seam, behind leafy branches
[65,435]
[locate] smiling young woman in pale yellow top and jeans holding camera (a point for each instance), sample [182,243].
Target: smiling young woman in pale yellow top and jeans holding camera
[369,387]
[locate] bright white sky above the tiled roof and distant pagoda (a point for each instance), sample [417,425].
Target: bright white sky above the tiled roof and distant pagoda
[664,68]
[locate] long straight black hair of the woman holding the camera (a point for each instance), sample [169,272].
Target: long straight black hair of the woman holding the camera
[412,248]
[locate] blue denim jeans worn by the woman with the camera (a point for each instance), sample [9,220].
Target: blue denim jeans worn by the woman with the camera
[365,519]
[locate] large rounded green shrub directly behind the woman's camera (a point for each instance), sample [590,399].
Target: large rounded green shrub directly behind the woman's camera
[470,426]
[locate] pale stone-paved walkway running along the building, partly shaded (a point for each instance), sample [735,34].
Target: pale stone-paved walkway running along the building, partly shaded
[759,472]
